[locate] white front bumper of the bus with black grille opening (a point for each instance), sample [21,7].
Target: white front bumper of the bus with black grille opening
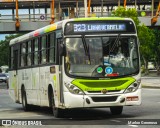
[82,101]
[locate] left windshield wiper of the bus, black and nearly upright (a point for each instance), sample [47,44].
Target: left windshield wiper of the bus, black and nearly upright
[86,48]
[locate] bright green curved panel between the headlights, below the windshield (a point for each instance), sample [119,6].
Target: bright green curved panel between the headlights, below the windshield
[98,85]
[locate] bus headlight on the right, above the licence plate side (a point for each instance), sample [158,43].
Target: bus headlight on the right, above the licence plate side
[133,87]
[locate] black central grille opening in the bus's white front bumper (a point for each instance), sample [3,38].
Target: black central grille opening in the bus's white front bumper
[105,99]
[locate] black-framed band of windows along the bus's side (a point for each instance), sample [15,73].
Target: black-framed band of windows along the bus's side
[29,44]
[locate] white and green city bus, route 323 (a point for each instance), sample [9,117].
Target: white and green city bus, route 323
[77,63]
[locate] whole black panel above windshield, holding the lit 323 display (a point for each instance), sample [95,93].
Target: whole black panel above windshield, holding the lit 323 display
[105,26]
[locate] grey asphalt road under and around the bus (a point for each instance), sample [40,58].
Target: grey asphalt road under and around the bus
[150,109]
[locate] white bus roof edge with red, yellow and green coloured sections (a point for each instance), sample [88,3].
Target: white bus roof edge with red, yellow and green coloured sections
[59,25]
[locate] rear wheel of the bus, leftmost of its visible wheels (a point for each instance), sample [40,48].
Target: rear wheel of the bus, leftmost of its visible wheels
[24,101]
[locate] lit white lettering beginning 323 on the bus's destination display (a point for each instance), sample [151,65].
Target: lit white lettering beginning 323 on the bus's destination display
[98,27]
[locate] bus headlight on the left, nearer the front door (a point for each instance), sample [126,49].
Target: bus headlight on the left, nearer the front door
[74,89]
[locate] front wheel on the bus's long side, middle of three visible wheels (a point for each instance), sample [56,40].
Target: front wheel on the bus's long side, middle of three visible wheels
[57,112]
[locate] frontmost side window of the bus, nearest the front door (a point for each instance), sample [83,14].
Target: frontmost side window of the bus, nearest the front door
[52,48]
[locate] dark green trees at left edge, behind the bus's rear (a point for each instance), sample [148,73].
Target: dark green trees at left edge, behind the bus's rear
[4,48]
